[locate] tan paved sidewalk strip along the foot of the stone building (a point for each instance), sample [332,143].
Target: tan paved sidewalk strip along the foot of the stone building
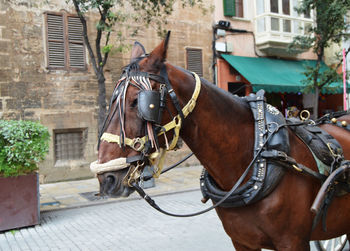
[81,193]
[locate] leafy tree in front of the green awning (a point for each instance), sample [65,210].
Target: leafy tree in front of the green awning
[330,26]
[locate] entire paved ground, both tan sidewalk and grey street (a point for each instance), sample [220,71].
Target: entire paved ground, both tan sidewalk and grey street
[73,218]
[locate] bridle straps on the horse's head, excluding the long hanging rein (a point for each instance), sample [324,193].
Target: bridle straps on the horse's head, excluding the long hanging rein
[151,104]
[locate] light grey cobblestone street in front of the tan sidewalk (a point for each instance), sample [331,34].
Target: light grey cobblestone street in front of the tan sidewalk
[124,225]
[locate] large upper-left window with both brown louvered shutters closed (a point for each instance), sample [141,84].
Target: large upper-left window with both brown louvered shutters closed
[65,44]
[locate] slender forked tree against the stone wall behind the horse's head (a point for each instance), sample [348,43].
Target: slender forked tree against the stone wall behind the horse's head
[111,13]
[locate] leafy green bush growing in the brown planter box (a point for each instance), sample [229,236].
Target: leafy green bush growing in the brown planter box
[23,144]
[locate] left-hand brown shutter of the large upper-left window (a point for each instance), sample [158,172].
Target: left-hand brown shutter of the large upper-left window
[55,35]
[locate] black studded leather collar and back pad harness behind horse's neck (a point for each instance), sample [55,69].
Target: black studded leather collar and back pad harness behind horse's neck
[272,154]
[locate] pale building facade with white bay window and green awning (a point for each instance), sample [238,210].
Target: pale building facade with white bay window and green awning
[252,52]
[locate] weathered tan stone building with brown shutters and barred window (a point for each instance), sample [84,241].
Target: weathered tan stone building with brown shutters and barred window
[45,74]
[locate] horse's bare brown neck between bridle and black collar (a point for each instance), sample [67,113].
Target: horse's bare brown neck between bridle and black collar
[220,132]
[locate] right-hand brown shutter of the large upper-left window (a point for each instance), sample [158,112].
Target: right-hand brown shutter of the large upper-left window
[76,43]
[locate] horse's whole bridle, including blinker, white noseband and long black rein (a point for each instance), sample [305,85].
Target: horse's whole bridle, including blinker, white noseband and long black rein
[150,99]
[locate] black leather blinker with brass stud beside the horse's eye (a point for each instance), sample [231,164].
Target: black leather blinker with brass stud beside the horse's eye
[148,105]
